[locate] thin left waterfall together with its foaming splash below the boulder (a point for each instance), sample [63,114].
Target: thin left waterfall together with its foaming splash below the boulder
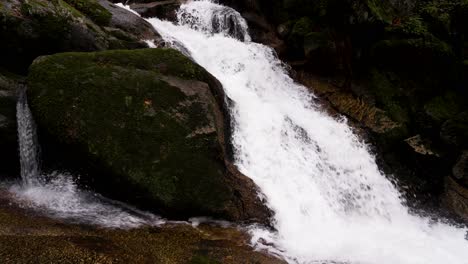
[60,196]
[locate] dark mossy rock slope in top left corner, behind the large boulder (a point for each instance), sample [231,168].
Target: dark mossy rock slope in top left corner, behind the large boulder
[39,27]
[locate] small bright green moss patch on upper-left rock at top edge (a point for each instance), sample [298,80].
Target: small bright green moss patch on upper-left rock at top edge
[93,10]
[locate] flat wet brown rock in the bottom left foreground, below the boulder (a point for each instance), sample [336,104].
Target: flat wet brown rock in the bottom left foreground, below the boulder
[26,237]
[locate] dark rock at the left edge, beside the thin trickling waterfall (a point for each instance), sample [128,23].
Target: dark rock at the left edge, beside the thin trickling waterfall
[8,135]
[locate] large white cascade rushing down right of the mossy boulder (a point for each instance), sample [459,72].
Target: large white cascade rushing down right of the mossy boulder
[330,200]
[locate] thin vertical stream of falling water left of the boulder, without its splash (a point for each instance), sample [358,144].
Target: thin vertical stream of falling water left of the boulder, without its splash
[27,140]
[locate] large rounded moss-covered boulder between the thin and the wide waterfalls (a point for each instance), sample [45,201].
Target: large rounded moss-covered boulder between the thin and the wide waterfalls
[149,126]
